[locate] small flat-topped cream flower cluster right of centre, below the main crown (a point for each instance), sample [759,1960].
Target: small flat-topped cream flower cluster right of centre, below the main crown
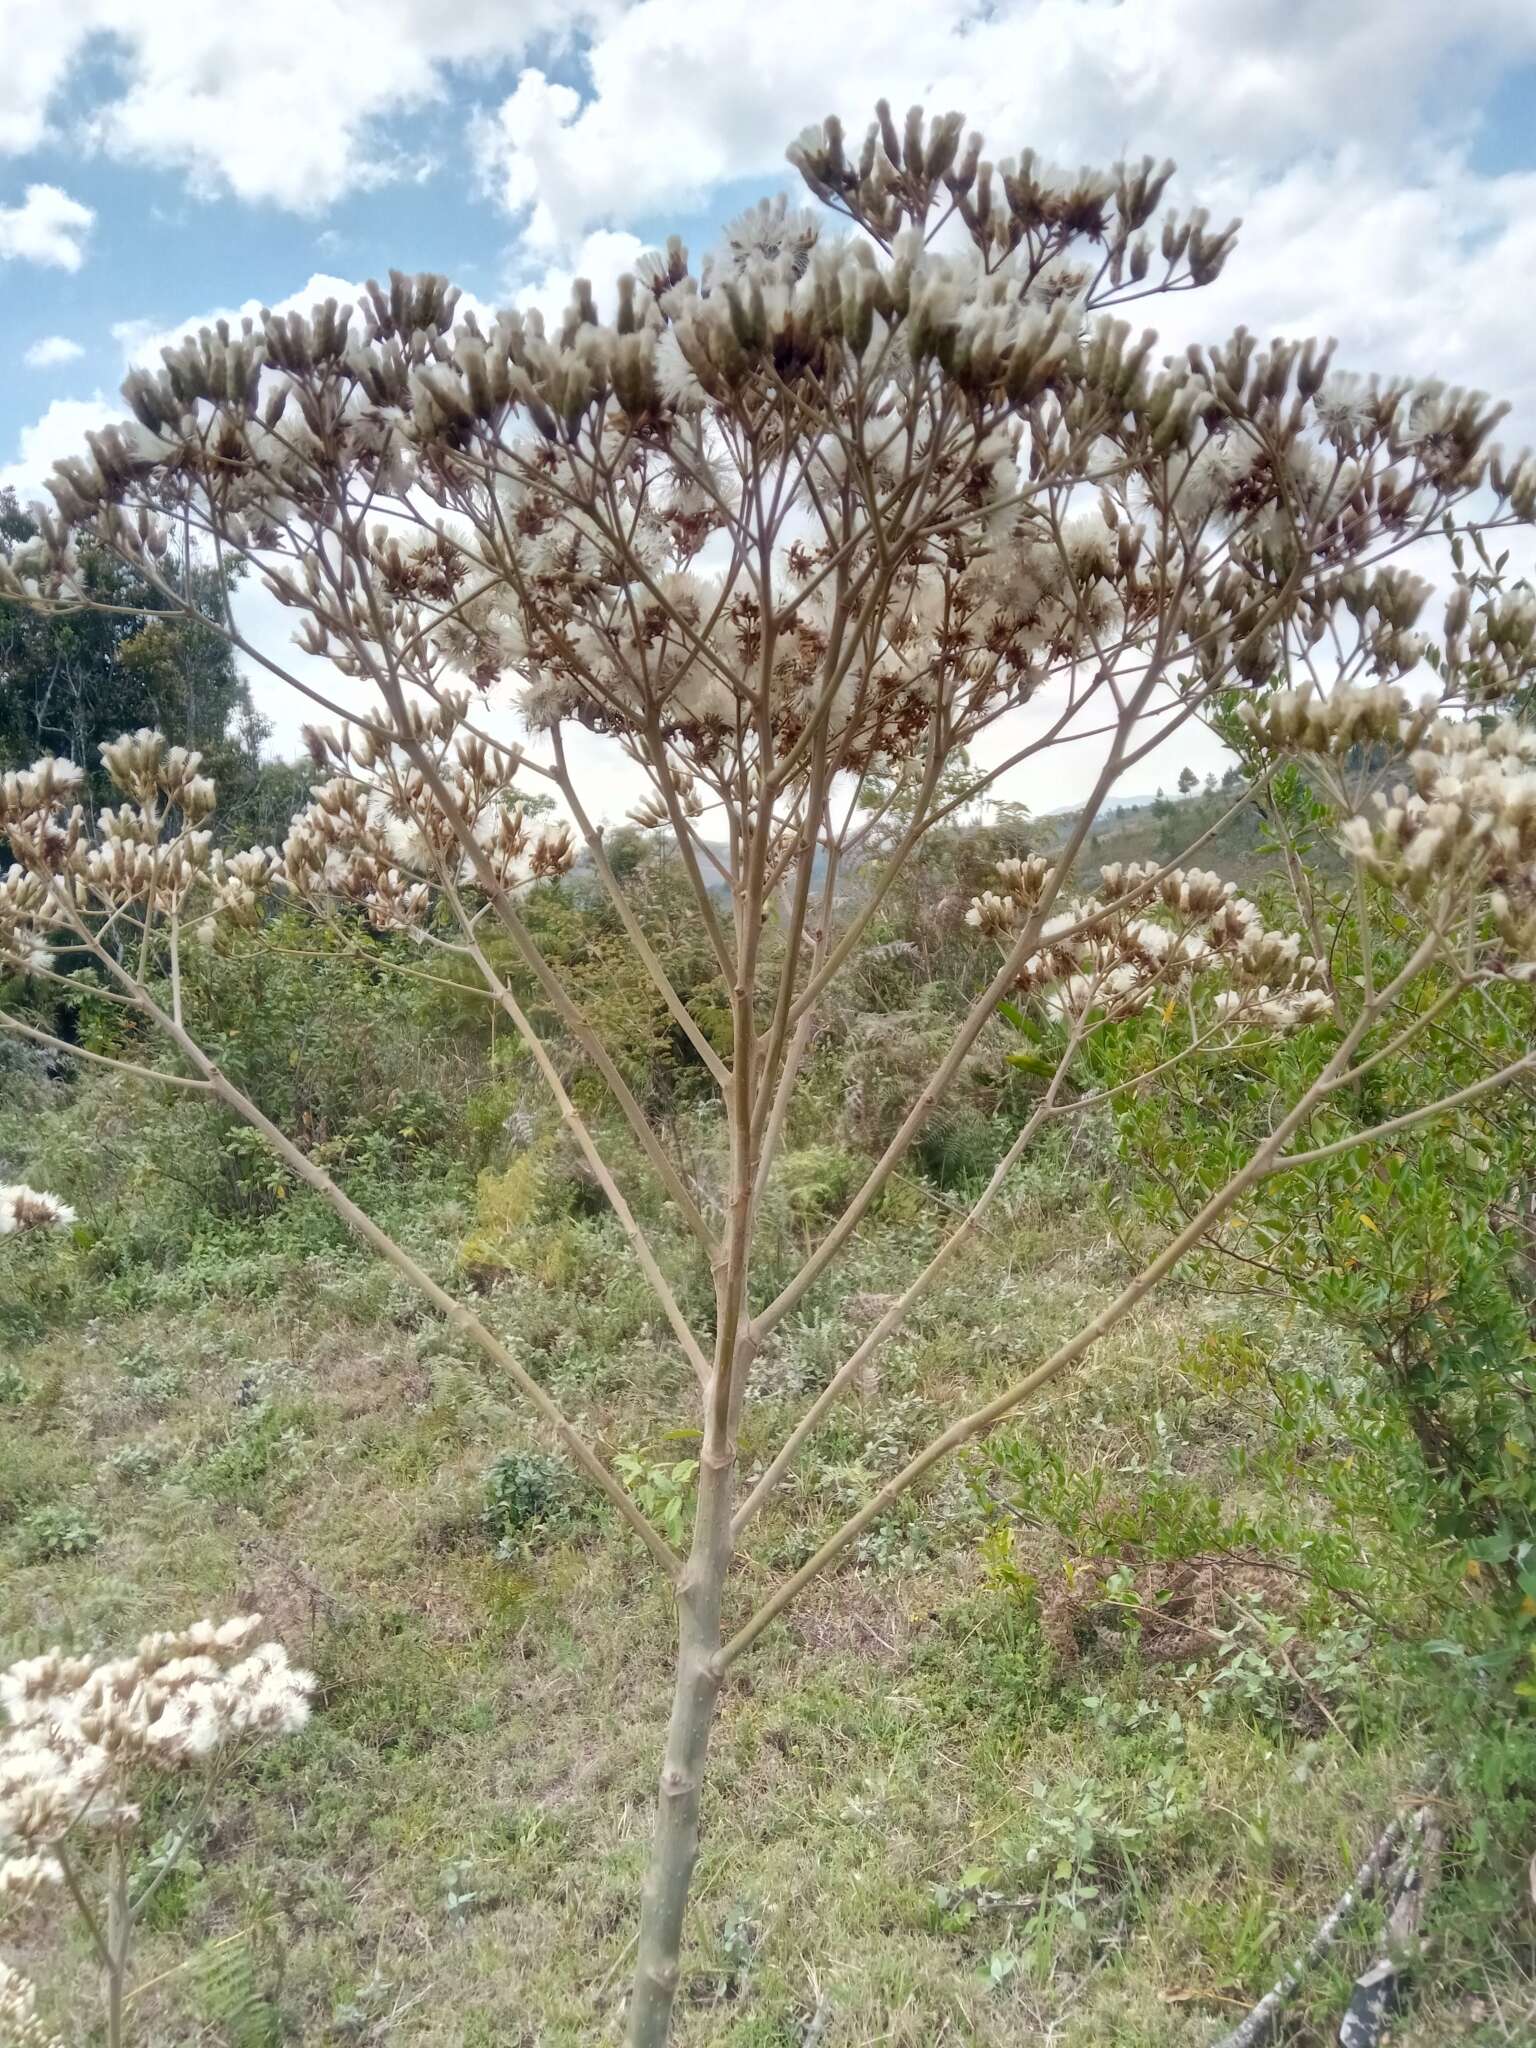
[1150,935]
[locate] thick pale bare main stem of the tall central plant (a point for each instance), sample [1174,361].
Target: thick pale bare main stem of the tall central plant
[675,1844]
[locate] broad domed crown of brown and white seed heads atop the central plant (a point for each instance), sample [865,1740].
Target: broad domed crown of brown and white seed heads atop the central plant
[826,505]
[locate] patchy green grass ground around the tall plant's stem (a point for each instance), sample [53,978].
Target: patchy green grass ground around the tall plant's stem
[964,1793]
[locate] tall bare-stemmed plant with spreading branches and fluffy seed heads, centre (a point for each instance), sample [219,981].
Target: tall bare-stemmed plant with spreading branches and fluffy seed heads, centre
[880,484]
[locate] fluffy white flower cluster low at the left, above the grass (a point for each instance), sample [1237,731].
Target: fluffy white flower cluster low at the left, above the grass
[79,1734]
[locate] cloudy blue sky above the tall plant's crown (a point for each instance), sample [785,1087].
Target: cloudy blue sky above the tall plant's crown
[163,161]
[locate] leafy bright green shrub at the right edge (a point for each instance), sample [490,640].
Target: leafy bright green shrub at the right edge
[1420,1248]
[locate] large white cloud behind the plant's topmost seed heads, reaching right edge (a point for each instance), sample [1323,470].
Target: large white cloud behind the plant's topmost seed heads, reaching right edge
[1338,134]
